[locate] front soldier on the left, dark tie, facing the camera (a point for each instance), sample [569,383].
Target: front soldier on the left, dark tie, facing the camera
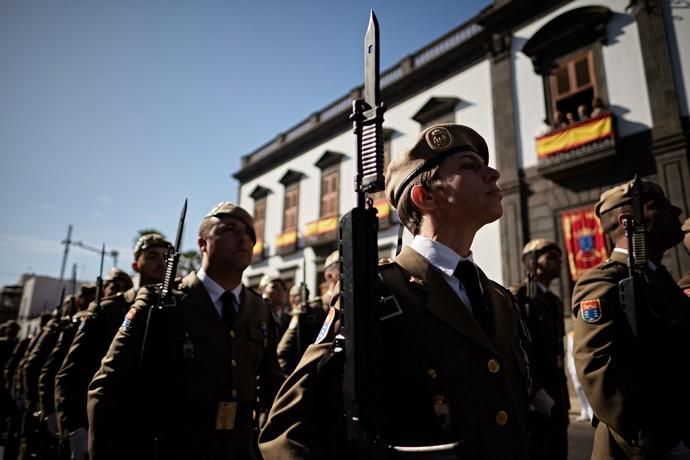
[193,392]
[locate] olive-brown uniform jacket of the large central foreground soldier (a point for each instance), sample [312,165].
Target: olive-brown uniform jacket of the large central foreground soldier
[443,379]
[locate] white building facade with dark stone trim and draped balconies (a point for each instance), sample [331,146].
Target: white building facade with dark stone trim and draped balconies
[572,98]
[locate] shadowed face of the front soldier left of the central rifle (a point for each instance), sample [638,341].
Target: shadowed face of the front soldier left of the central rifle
[228,243]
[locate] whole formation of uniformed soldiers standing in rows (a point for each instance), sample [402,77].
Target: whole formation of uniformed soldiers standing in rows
[226,372]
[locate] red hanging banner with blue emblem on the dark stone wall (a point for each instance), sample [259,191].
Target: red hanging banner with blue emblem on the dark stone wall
[584,240]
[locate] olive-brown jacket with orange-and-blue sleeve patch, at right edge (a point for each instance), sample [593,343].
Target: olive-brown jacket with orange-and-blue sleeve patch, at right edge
[637,387]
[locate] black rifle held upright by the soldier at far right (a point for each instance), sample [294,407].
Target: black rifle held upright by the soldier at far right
[631,289]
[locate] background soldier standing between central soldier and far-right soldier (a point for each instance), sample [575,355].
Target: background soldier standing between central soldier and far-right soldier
[542,312]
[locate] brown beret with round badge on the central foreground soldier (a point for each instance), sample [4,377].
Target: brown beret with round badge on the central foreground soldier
[431,147]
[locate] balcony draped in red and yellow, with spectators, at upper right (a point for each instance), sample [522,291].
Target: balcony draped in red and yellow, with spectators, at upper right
[579,147]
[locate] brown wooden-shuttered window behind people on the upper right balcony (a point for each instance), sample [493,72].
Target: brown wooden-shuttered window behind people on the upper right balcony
[572,83]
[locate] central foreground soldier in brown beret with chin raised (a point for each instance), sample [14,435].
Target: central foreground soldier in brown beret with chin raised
[453,368]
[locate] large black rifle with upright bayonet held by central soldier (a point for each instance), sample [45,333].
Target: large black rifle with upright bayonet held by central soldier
[359,293]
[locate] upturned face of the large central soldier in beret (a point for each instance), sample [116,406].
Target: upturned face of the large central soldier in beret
[467,192]
